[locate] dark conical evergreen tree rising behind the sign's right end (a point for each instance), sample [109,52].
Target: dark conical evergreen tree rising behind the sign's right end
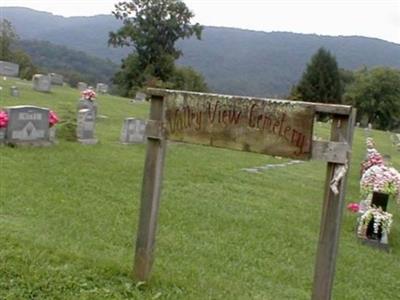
[321,81]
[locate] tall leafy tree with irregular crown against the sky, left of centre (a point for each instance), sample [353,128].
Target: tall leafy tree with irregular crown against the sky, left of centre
[152,28]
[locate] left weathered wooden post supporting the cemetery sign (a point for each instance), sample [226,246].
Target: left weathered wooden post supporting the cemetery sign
[150,197]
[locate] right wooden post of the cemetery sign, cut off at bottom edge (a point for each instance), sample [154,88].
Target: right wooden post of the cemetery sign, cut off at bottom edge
[341,131]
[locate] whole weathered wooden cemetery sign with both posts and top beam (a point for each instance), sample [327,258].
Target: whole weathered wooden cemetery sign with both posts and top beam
[274,127]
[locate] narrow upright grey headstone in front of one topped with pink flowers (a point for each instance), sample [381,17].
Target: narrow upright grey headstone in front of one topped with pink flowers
[86,126]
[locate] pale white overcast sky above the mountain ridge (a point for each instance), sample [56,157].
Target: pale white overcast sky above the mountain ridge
[371,18]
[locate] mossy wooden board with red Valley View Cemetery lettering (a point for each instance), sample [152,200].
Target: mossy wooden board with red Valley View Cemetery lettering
[274,127]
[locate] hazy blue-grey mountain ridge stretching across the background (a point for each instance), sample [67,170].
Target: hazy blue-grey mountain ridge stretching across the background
[233,61]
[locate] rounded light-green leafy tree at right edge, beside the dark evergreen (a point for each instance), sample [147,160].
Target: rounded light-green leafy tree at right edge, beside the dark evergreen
[376,95]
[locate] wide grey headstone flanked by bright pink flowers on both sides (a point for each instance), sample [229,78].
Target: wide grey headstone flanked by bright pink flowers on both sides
[28,125]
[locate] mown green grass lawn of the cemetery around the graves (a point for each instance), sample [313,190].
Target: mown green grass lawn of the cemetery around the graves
[69,214]
